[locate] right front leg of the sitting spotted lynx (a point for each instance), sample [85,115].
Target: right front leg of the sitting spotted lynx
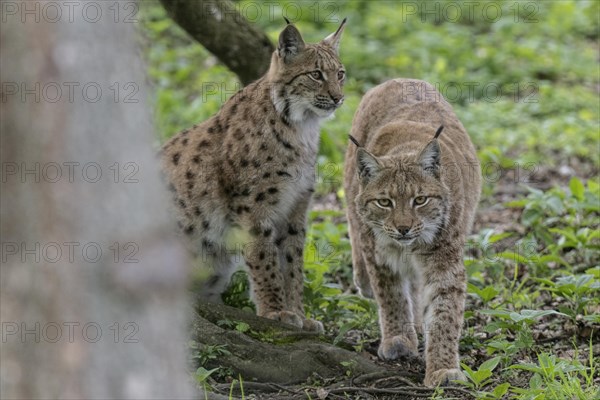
[291,251]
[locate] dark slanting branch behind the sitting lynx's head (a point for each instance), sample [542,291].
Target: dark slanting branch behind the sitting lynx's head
[222,30]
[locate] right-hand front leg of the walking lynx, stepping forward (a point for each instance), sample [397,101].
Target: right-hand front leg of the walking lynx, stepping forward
[443,322]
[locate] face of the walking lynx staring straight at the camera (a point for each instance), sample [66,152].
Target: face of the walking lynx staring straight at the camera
[402,200]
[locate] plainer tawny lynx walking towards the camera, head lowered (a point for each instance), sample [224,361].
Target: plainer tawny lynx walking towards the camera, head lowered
[411,201]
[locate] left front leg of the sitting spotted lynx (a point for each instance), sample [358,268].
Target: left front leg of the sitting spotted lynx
[262,258]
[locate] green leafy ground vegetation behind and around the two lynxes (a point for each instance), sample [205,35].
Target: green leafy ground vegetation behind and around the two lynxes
[526,87]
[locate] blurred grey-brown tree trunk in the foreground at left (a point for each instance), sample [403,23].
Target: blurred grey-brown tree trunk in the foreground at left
[93,300]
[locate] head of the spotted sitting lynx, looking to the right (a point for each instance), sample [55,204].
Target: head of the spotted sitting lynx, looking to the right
[308,78]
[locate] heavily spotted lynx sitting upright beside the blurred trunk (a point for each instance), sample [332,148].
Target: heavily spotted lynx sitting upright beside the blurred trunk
[243,179]
